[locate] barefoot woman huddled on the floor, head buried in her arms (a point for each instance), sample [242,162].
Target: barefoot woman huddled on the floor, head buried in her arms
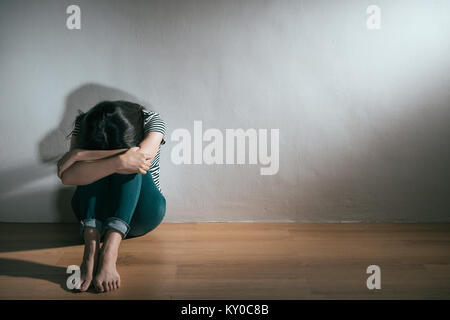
[114,162]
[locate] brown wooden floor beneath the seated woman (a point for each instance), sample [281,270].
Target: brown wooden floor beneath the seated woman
[238,261]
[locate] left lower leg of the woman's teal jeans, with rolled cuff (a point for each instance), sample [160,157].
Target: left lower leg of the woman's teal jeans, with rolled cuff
[88,203]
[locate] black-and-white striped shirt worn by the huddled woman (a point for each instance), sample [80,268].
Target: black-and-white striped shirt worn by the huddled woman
[152,123]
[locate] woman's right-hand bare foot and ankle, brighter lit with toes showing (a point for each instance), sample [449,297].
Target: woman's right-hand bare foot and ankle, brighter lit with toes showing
[107,277]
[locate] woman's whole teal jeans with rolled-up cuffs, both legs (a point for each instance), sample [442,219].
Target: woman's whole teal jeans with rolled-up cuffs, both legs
[129,203]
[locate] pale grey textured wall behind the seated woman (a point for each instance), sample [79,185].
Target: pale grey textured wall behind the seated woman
[363,114]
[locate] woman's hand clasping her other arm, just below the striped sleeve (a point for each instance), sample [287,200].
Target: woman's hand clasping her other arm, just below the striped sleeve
[134,161]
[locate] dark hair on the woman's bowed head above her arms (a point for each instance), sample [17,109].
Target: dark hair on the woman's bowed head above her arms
[111,125]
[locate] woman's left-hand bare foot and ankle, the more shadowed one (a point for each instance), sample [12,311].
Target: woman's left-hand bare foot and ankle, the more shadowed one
[90,258]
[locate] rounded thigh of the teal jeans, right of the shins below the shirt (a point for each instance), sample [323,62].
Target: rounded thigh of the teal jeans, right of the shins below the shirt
[150,209]
